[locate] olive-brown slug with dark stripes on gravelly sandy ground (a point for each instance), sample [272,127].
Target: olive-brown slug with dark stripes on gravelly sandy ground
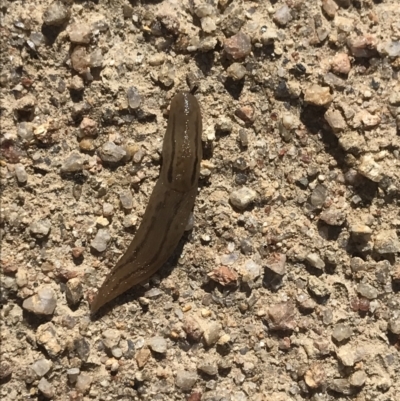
[170,203]
